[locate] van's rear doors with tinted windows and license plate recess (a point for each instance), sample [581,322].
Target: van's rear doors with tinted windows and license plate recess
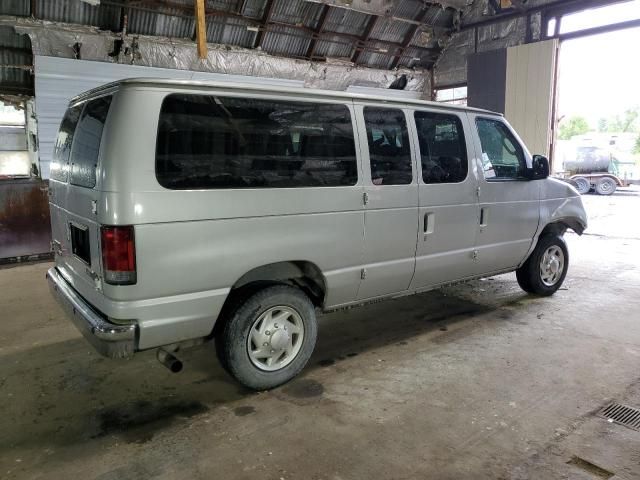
[74,197]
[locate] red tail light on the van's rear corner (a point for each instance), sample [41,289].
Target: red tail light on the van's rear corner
[119,255]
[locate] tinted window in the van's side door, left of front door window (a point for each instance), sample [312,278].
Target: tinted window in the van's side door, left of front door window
[443,151]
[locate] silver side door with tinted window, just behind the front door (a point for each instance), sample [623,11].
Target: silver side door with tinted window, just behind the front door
[448,212]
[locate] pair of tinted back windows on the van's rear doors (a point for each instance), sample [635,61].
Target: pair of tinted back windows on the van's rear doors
[75,154]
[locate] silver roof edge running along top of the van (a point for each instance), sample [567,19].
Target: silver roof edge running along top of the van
[313,92]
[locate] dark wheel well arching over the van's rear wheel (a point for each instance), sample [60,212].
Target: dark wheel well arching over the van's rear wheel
[299,273]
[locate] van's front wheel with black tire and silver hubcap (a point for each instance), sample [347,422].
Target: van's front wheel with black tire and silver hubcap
[542,275]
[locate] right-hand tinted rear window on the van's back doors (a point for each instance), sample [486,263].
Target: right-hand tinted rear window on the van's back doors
[86,142]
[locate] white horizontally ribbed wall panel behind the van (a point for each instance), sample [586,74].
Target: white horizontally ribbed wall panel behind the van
[57,80]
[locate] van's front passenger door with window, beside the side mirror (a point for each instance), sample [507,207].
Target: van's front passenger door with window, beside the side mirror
[509,203]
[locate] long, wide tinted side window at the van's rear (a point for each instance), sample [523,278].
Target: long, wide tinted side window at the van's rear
[209,142]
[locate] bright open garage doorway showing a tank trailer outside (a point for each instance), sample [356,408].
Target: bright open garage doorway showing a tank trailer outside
[598,103]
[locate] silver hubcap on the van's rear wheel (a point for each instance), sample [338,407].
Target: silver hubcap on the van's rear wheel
[275,338]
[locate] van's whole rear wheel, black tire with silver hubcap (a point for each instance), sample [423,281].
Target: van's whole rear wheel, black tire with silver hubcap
[261,328]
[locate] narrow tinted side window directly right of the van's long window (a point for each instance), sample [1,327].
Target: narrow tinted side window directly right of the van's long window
[389,151]
